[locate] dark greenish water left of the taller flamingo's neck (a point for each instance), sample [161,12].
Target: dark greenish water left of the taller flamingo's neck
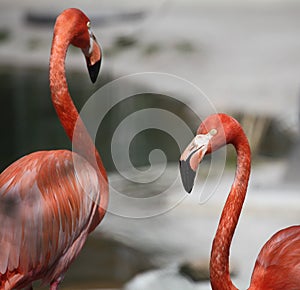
[28,120]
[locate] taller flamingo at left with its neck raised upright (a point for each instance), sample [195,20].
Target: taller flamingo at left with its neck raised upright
[48,206]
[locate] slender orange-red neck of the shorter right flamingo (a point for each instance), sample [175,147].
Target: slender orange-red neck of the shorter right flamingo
[219,263]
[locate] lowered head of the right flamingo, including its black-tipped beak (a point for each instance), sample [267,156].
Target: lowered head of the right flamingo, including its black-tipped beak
[214,132]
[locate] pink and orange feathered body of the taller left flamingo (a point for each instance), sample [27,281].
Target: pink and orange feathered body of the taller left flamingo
[46,206]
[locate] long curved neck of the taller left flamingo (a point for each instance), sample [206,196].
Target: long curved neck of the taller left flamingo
[69,117]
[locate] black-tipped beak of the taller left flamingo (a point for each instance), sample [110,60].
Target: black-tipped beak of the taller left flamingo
[93,58]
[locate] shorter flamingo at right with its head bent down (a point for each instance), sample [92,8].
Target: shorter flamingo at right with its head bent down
[278,264]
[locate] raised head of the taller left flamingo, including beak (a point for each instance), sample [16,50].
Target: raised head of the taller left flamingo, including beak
[82,37]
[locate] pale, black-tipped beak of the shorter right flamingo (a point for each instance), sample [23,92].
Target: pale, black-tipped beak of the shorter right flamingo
[190,159]
